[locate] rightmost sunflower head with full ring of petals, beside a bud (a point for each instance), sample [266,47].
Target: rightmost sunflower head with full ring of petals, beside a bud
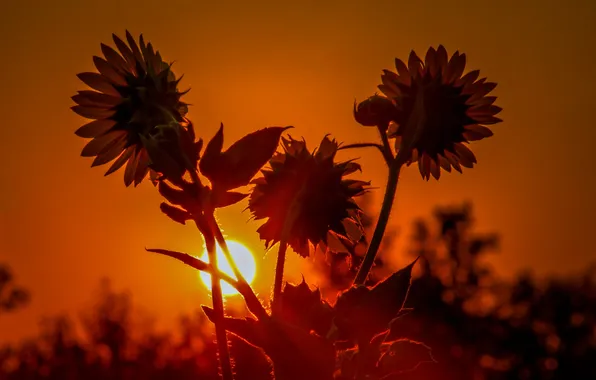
[450,110]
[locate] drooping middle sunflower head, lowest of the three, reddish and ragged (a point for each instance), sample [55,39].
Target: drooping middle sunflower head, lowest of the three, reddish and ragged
[312,185]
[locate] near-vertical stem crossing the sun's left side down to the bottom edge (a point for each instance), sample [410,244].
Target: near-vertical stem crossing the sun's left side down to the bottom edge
[218,307]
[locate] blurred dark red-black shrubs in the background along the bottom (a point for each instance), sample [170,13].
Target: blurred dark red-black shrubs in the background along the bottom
[479,325]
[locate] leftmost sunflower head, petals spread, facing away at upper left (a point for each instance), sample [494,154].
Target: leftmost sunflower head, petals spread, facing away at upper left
[135,92]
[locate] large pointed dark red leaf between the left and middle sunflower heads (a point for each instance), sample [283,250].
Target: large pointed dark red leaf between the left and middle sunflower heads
[242,160]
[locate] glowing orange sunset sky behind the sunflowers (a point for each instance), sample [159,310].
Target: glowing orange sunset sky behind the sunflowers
[302,63]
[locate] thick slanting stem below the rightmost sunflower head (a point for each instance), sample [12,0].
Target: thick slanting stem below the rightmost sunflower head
[375,243]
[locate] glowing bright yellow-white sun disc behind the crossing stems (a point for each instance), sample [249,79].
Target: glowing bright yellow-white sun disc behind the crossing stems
[243,258]
